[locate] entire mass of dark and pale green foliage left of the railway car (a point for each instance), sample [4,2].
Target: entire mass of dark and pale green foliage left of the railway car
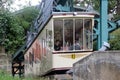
[13,27]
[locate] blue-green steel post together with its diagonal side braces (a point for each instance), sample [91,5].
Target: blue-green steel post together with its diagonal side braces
[104,26]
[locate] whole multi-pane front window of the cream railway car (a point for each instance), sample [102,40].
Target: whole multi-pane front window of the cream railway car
[72,34]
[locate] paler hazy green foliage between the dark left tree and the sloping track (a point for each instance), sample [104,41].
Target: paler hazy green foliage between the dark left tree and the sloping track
[26,16]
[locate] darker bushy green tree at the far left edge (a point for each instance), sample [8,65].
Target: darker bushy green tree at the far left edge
[11,32]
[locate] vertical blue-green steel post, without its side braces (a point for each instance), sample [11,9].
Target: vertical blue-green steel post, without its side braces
[103,22]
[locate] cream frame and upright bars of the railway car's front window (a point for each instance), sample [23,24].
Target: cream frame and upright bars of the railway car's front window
[74,25]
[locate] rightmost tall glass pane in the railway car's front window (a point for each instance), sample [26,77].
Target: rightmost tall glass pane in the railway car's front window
[88,33]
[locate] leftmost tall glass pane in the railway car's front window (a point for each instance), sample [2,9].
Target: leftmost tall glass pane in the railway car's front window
[58,34]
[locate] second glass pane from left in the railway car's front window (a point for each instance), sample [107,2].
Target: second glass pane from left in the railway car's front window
[68,34]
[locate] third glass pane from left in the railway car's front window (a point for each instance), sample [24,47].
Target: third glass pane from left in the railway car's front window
[78,34]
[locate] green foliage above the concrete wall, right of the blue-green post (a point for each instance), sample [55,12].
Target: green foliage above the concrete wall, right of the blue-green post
[115,40]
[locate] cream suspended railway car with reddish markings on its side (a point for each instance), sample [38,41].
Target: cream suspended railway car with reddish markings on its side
[65,39]
